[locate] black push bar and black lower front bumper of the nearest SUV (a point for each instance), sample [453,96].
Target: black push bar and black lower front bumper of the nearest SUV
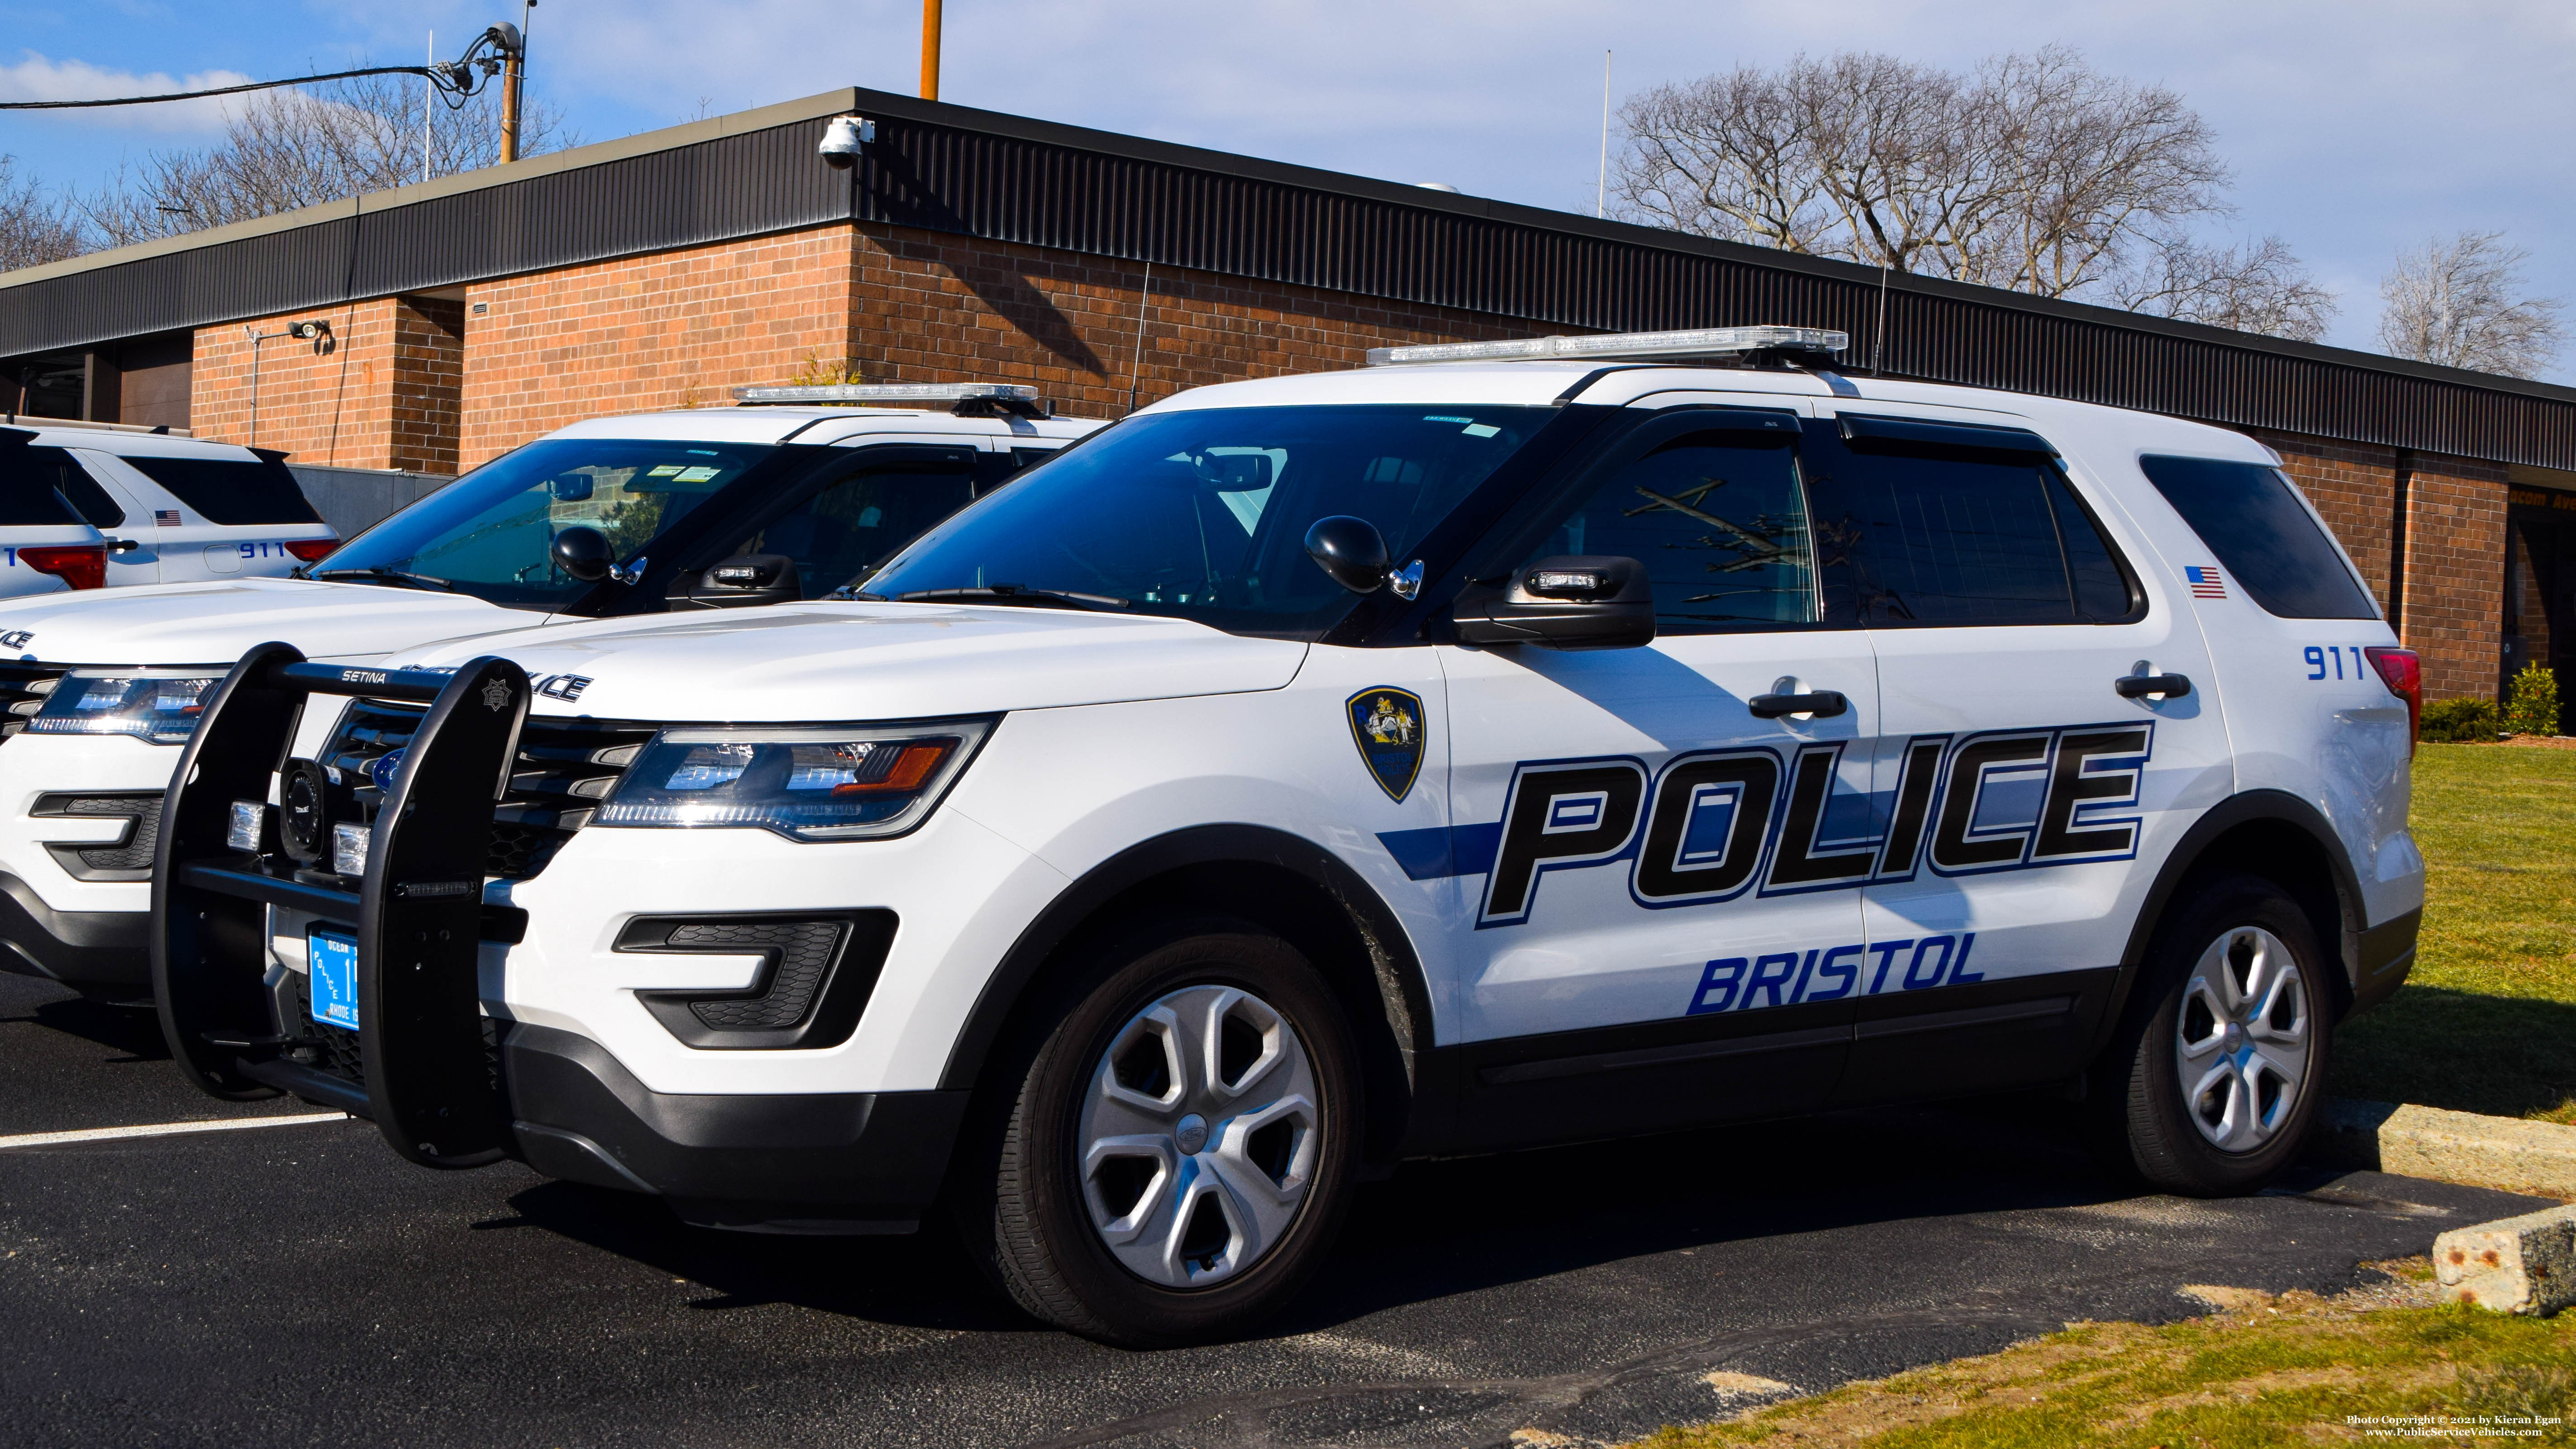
[447,1085]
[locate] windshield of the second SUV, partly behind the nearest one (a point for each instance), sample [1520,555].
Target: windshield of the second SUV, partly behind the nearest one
[491,534]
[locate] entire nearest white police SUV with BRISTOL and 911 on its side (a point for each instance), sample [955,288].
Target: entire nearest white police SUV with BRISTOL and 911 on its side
[1506,745]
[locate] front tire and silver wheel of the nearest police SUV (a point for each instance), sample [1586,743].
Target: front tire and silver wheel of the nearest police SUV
[1137,1195]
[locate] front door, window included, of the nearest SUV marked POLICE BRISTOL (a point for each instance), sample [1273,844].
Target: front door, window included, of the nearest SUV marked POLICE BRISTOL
[1658,881]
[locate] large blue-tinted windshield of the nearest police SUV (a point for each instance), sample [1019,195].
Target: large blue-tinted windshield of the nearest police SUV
[1204,513]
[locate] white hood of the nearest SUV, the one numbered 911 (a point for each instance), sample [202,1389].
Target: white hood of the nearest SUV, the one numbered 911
[872,663]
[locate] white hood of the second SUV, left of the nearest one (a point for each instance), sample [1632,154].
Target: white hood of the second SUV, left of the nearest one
[218,624]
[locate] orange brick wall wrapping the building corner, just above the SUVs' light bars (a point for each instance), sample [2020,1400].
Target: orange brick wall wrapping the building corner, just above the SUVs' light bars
[893,305]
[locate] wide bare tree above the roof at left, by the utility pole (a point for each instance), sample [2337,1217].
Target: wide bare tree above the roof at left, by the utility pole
[300,148]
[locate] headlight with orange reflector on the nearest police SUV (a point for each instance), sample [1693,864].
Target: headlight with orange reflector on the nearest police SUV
[805,781]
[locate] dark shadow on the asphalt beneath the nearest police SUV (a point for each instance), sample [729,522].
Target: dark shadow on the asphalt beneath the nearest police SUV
[1439,1229]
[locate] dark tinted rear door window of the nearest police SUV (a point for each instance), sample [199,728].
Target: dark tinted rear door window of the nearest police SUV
[1923,534]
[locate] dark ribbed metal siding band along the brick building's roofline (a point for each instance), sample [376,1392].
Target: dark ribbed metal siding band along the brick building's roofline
[1050,187]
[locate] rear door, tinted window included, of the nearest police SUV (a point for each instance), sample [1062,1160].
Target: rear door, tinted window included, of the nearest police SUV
[2026,799]
